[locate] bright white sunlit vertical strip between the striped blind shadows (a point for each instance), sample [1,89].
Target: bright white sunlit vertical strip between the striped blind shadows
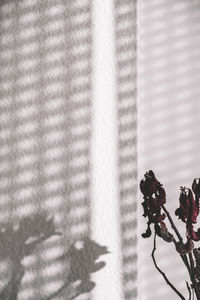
[105,209]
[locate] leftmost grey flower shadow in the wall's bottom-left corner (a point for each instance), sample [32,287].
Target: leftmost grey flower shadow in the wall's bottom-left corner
[19,241]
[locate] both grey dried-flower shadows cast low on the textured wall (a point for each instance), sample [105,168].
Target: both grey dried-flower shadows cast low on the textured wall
[18,242]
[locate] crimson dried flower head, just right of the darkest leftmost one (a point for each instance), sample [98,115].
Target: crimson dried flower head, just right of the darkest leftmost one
[188,212]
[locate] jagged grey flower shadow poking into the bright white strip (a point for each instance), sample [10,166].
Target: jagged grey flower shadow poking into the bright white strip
[83,257]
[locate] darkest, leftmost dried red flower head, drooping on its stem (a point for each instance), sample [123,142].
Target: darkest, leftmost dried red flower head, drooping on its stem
[154,197]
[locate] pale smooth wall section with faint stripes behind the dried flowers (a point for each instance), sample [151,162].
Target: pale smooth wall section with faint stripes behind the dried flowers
[168,92]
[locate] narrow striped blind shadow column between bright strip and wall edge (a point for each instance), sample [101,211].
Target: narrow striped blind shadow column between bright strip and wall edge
[125,26]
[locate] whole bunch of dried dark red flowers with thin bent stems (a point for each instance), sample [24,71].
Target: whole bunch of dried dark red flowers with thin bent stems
[156,212]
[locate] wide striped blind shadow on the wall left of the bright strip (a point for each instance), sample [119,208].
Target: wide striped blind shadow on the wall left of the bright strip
[45,49]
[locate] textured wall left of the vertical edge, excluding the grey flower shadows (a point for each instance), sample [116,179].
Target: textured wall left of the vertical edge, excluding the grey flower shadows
[55,153]
